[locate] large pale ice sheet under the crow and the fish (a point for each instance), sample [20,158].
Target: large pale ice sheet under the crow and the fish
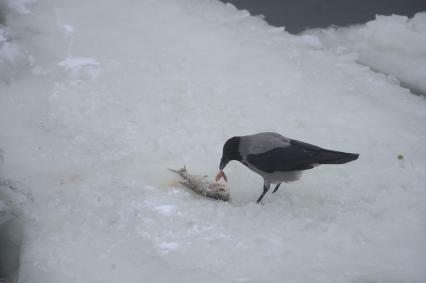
[108,94]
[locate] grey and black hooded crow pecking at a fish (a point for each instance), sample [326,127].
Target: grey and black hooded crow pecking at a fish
[276,158]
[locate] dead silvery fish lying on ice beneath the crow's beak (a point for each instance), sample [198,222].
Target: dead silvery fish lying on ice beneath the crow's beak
[203,186]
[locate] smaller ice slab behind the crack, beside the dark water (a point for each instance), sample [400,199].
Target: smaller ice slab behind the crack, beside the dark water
[394,45]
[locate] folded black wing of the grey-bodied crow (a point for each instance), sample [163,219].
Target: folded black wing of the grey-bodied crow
[297,156]
